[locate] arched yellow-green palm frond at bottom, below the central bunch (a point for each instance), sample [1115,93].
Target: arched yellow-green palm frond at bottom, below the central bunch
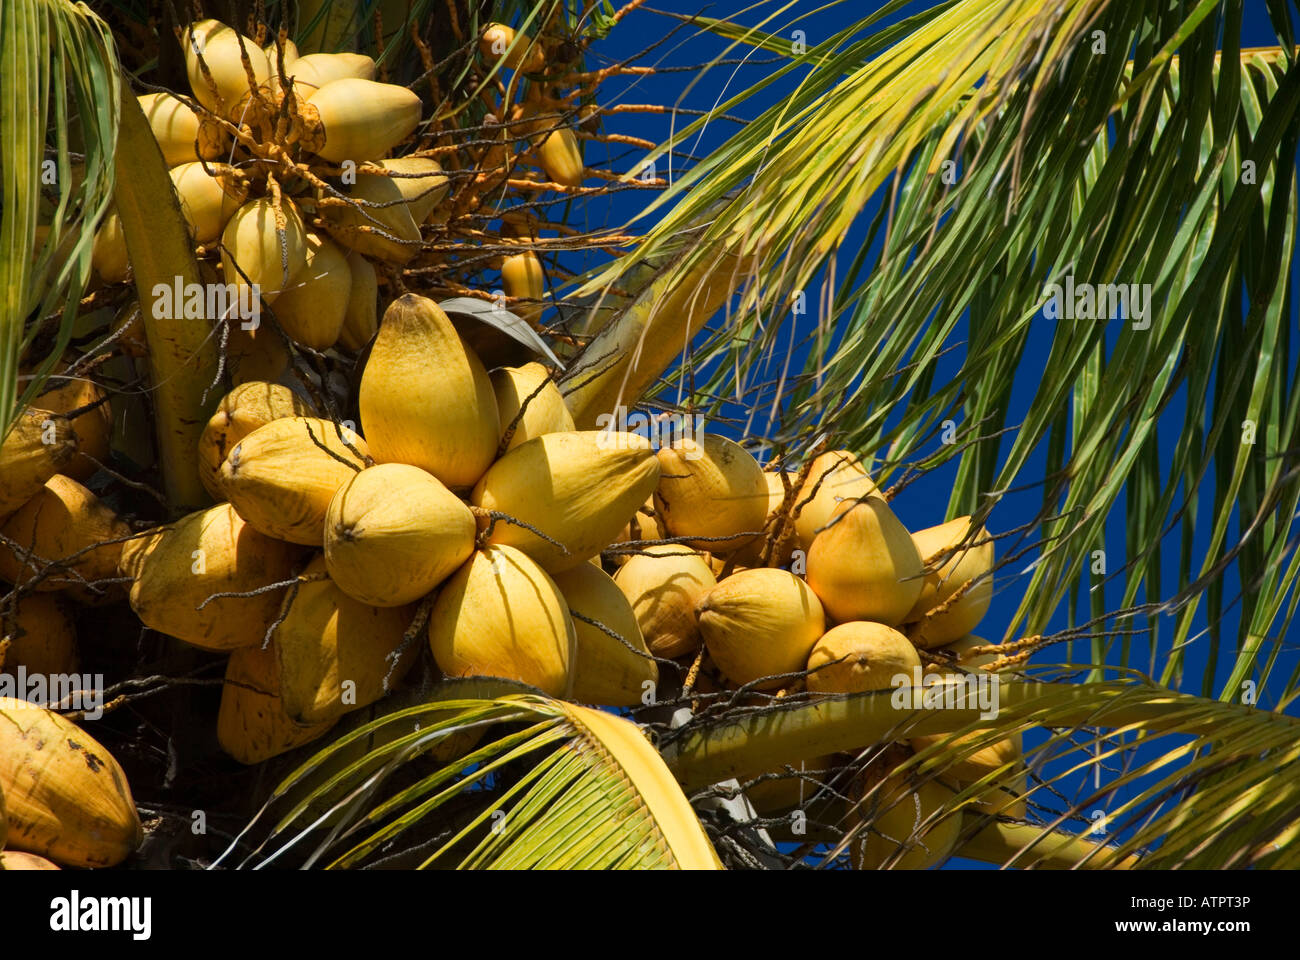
[480,776]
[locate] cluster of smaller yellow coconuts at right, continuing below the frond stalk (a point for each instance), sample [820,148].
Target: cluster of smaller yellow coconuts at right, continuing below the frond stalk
[834,596]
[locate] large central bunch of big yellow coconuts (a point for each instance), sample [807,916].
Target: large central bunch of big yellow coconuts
[470,503]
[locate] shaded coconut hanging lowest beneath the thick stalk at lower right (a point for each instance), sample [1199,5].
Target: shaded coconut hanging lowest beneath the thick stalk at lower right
[902,821]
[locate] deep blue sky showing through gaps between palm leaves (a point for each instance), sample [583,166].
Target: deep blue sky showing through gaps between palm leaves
[924,501]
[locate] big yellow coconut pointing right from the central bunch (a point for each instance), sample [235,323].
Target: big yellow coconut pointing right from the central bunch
[578,490]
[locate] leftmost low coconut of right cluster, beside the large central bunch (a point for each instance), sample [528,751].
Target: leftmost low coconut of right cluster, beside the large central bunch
[664,585]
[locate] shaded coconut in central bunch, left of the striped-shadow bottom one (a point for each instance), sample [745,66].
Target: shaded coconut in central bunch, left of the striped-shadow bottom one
[335,651]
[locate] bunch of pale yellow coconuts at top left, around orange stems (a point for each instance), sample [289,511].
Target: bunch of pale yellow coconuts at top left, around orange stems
[281,163]
